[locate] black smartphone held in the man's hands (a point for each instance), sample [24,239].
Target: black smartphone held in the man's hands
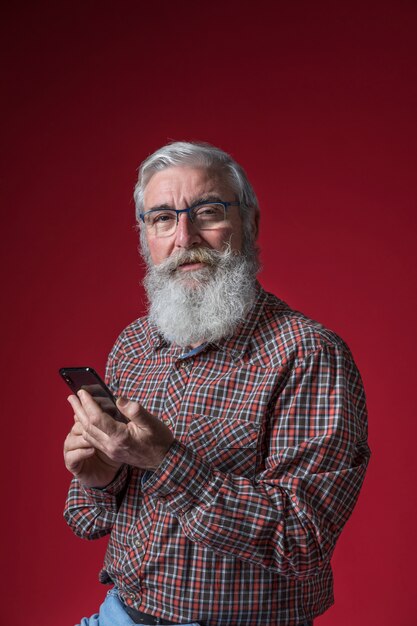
[87,378]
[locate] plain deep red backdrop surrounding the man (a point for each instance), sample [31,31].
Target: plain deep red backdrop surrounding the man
[318,101]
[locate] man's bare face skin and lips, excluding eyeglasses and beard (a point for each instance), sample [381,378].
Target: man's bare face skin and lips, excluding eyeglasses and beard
[180,188]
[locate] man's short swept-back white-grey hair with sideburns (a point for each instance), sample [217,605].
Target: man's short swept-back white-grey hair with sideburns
[199,154]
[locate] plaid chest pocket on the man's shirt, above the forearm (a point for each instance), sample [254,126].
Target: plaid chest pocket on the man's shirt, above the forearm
[229,444]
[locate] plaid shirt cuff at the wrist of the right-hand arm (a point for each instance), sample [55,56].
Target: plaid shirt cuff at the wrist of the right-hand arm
[183,480]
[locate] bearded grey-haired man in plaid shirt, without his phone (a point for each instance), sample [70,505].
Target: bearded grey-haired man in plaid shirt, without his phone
[246,444]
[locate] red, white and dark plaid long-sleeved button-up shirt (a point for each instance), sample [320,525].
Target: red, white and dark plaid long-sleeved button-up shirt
[238,524]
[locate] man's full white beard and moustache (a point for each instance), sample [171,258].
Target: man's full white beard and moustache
[206,305]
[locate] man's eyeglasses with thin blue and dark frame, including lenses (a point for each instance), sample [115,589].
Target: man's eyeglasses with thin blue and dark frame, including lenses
[207,216]
